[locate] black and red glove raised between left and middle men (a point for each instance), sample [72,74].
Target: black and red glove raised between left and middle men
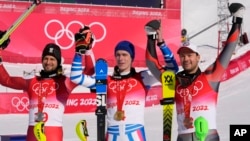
[83,40]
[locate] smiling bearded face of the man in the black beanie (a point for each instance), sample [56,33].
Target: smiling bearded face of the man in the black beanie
[49,63]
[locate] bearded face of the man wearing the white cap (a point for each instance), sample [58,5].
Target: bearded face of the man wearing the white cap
[189,60]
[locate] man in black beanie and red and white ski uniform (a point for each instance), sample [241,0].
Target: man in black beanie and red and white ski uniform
[48,92]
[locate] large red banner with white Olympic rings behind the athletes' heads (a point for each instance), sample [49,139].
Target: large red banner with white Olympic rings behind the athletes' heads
[51,22]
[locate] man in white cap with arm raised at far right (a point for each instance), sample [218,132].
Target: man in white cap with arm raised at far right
[196,92]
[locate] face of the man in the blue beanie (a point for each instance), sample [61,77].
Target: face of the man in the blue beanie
[123,60]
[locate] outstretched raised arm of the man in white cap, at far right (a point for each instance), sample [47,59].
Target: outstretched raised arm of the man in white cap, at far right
[216,70]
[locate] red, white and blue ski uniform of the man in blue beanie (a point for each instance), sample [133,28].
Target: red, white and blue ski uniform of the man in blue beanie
[126,93]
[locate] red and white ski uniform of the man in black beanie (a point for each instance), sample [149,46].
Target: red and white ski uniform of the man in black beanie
[53,91]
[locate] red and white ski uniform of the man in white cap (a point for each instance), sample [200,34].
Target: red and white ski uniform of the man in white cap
[198,99]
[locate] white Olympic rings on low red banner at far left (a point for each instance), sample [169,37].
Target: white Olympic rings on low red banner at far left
[20,104]
